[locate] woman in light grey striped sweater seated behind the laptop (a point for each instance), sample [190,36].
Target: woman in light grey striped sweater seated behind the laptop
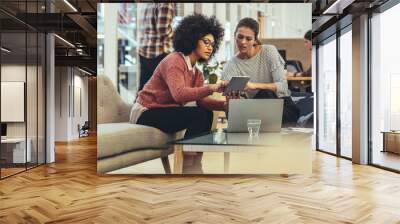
[264,66]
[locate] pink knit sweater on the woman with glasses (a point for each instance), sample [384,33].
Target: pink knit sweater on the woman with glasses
[174,85]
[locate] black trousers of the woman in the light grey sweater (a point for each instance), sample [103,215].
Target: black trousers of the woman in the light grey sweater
[290,110]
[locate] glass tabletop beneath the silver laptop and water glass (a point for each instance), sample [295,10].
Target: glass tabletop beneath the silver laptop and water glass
[242,139]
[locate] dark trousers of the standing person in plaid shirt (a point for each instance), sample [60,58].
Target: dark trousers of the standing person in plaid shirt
[147,67]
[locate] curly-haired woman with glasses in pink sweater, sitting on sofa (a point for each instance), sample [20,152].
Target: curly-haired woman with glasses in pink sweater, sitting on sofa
[177,81]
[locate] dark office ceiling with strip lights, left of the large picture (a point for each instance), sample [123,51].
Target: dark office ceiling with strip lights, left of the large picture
[74,21]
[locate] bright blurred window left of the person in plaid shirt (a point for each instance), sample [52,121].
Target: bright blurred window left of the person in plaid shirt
[119,30]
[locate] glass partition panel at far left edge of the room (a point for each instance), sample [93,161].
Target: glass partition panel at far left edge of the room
[13,89]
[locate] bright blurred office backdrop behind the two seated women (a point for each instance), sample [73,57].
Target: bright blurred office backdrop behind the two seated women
[279,24]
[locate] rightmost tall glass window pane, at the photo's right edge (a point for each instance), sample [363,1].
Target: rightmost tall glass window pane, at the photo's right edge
[385,89]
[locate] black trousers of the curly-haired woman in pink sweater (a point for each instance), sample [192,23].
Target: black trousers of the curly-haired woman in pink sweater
[196,120]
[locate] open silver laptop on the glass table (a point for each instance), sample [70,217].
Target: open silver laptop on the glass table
[269,111]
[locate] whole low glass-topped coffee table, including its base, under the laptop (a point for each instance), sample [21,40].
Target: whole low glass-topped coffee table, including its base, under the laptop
[285,152]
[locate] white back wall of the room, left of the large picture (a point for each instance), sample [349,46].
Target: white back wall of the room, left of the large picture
[69,85]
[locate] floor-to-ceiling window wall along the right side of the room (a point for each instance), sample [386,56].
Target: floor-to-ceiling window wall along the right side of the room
[357,86]
